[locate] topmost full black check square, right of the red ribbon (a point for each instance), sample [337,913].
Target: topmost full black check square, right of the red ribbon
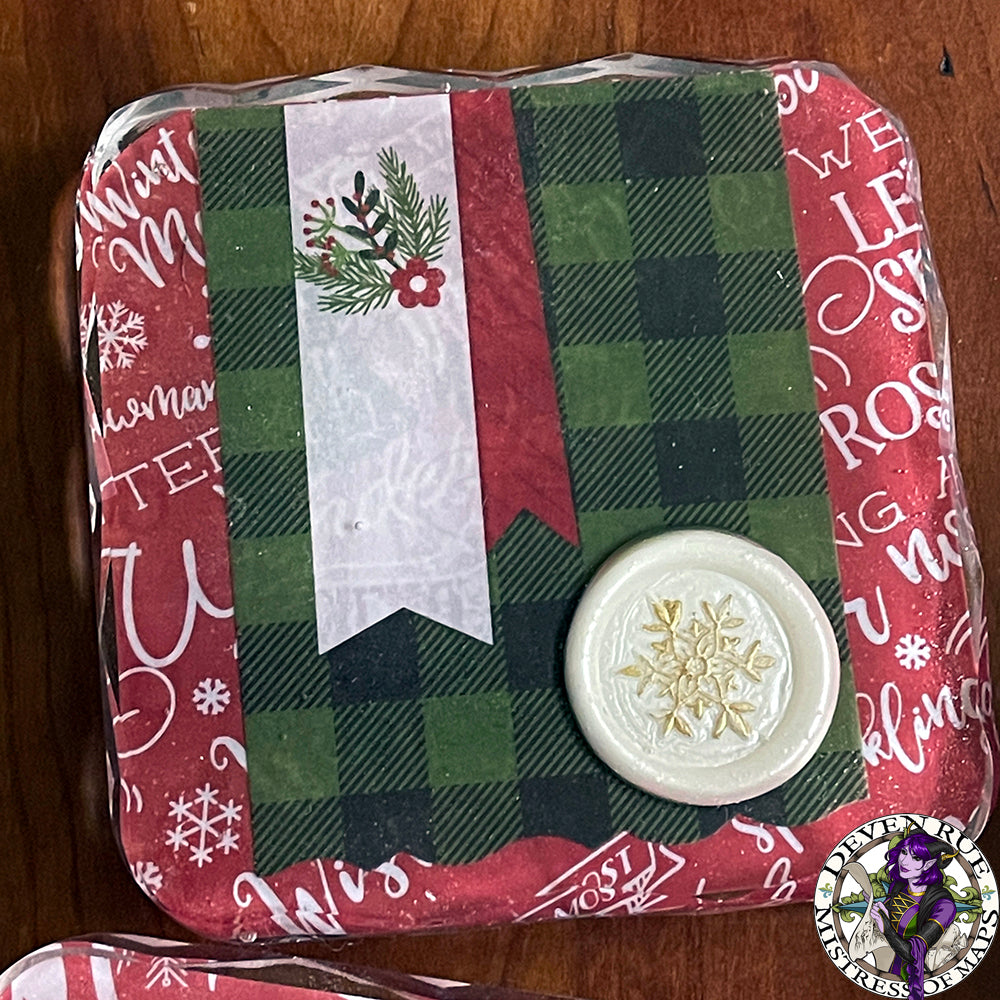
[661,137]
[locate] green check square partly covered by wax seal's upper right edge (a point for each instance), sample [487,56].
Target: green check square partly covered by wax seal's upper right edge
[800,530]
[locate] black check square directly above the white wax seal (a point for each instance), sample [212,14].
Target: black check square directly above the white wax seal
[699,461]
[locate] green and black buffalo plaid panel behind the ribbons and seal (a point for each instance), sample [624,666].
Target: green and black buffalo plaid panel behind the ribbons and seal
[671,290]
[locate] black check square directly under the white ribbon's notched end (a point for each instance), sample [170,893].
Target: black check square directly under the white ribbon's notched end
[378,664]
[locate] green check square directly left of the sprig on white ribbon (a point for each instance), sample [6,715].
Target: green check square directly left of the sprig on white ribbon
[250,248]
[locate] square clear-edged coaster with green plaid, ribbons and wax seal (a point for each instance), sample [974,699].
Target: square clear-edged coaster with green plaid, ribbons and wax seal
[520,497]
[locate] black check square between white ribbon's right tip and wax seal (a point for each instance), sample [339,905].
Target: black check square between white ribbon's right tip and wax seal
[535,634]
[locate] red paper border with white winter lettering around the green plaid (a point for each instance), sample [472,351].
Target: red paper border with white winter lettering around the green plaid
[877,329]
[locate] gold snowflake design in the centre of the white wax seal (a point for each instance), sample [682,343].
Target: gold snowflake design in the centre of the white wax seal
[696,669]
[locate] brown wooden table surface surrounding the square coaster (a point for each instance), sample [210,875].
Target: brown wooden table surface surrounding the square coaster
[66,64]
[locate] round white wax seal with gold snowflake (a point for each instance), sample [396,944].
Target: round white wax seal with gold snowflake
[701,667]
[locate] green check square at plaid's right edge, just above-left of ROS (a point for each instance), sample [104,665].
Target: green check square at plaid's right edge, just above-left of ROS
[772,372]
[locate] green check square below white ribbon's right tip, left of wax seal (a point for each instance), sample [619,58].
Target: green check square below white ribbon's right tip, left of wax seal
[470,739]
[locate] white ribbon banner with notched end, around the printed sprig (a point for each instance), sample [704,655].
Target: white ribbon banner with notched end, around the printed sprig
[394,490]
